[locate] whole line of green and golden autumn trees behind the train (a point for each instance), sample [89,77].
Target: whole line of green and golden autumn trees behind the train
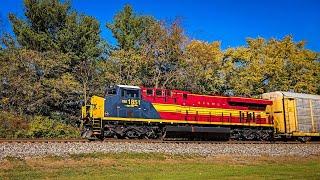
[56,59]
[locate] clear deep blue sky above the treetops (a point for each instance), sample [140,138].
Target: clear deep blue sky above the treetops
[227,21]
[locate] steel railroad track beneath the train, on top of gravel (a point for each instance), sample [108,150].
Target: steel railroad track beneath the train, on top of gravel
[147,141]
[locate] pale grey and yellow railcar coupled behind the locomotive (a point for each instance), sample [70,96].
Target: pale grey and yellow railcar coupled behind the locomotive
[295,114]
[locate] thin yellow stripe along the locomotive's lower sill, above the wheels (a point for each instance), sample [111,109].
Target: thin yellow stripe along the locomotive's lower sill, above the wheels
[168,121]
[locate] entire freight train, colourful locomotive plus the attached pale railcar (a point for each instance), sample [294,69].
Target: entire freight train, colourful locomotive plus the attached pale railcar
[151,113]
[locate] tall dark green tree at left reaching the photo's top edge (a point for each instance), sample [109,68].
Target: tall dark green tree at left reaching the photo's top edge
[52,26]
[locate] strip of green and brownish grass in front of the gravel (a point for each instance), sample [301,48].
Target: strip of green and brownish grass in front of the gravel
[159,166]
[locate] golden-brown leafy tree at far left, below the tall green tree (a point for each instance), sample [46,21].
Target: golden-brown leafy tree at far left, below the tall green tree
[37,84]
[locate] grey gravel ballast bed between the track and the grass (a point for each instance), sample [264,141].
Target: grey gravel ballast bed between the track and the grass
[22,150]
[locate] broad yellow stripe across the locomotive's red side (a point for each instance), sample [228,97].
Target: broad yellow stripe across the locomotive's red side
[201,110]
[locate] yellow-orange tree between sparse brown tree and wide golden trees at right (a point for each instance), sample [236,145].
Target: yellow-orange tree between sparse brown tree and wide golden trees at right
[205,67]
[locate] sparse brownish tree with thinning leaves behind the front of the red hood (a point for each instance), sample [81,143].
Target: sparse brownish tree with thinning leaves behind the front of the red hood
[162,47]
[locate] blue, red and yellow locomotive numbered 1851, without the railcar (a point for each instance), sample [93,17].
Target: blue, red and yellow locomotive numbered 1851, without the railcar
[134,112]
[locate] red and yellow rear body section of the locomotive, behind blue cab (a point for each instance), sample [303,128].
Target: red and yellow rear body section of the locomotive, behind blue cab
[204,109]
